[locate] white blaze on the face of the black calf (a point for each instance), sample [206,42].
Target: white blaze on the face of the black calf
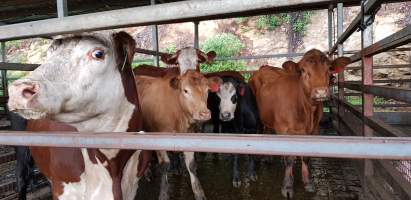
[228,101]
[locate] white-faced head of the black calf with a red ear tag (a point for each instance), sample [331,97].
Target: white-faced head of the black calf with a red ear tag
[230,92]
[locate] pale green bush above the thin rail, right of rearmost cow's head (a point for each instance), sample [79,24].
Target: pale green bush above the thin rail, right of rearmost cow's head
[225,45]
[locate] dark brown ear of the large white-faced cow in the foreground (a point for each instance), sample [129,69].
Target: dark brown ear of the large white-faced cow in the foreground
[126,44]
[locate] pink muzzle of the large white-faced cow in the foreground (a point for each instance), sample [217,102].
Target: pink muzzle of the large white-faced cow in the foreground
[22,99]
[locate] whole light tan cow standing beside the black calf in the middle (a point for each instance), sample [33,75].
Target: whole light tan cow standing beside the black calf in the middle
[175,104]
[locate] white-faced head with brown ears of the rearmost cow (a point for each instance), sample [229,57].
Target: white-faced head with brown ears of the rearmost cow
[188,58]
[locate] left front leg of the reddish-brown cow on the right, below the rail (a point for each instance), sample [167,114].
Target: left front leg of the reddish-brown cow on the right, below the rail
[287,189]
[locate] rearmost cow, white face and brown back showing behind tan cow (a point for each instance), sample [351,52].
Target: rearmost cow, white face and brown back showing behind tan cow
[177,63]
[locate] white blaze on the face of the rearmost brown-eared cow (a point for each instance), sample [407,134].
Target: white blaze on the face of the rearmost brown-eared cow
[187,59]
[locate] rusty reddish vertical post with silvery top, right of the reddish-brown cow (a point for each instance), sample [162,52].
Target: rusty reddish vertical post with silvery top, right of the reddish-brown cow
[367,99]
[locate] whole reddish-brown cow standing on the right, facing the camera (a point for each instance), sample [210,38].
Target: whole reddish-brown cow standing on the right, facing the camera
[288,103]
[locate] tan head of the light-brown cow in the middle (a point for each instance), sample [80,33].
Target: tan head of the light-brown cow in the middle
[193,90]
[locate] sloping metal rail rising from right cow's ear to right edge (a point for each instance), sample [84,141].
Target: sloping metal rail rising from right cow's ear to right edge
[395,40]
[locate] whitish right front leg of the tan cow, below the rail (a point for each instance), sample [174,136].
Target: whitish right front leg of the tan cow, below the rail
[192,169]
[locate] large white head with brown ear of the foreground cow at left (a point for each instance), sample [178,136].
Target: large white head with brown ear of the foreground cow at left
[83,77]
